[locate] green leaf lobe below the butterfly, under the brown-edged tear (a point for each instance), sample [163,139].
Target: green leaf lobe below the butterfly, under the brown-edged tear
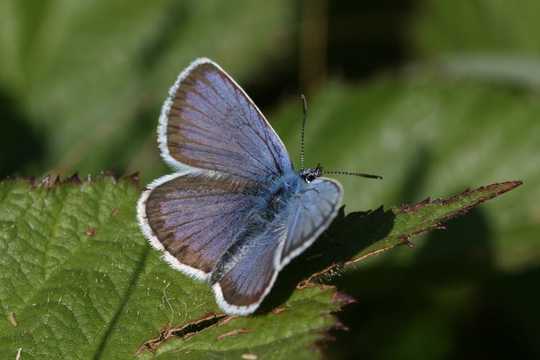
[290,331]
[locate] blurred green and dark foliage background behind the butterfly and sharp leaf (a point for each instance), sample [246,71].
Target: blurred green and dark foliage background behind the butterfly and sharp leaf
[435,95]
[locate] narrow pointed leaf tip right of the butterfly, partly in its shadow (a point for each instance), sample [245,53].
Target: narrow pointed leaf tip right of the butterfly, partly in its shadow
[365,234]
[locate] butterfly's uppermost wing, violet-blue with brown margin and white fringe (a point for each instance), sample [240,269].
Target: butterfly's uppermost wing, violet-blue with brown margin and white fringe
[209,122]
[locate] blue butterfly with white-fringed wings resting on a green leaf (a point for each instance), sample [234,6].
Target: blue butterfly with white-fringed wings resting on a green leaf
[236,211]
